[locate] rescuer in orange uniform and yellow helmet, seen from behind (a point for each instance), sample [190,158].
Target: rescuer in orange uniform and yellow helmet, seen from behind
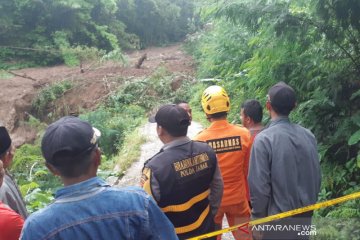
[231,144]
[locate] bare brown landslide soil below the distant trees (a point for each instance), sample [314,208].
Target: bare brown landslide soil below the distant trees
[90,87]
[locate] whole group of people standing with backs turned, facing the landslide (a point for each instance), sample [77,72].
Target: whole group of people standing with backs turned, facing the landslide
[187,188]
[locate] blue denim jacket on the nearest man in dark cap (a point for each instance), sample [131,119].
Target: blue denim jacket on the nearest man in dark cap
[94,210]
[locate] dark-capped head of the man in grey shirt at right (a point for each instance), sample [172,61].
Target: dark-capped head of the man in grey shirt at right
[281,99]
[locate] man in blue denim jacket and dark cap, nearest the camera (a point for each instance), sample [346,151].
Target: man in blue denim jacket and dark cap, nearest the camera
[87,207]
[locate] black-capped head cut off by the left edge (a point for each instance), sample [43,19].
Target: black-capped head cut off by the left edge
[6,148]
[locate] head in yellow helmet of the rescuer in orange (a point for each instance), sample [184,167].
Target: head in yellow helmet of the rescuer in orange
[215,102]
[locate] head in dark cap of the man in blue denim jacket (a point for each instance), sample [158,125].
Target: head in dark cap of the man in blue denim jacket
[70,148]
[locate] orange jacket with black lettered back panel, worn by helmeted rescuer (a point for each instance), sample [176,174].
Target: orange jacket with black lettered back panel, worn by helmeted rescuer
[232,146]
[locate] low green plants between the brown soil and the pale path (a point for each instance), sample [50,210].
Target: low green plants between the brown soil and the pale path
[125,109]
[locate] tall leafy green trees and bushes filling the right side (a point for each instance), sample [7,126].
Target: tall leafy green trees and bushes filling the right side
[313,45]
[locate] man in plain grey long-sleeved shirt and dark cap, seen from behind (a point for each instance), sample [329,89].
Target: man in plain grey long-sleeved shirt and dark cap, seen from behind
[284,171]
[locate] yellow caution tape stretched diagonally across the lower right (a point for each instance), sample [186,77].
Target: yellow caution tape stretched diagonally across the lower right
[281,215]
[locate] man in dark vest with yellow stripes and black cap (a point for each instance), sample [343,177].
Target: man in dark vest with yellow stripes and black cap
[183,177]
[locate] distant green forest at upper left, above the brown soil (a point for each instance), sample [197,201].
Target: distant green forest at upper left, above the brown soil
[50,32]
